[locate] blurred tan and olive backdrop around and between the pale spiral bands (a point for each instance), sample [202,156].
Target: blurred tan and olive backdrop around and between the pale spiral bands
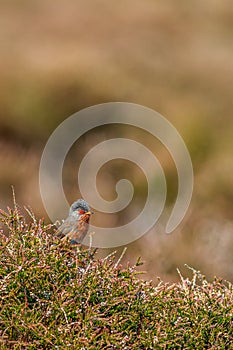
[174,57]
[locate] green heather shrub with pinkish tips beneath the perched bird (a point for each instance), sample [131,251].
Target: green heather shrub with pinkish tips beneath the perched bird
[57,297]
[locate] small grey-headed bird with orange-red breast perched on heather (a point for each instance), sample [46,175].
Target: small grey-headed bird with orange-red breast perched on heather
[75,227]
